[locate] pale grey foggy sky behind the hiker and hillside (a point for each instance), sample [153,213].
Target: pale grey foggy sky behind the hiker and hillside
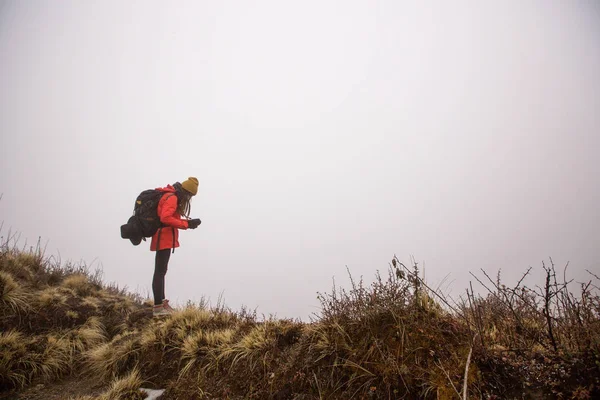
[324,134]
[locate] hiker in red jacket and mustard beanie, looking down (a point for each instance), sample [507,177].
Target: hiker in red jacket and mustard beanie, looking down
[174,203]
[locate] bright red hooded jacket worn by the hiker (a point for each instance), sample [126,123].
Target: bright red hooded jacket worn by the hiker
[167,212]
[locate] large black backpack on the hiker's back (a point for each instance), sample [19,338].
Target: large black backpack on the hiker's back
[145,221]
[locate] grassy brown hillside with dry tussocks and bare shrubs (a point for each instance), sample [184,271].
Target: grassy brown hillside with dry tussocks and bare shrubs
[66,334]
